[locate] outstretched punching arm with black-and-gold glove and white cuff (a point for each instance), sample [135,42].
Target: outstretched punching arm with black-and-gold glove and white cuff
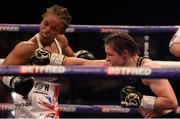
[43,57]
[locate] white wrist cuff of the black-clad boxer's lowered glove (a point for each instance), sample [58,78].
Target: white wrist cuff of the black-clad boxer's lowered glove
[148,103]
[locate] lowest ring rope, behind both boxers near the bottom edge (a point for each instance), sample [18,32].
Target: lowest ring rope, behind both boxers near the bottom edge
[84,108]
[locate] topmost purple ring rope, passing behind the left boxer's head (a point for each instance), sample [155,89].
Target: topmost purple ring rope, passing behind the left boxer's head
[92,28]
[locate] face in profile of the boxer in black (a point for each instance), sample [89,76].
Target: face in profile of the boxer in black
[113,57]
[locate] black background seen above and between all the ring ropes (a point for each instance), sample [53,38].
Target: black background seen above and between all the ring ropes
[95,12]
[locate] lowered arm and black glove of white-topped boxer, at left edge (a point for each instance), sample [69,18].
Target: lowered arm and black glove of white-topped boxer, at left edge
[20,55]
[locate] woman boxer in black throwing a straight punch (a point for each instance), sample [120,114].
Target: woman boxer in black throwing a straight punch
[152,97]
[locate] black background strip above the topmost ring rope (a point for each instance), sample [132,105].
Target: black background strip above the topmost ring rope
[132,12]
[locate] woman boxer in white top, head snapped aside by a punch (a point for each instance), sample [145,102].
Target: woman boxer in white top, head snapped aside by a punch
[42,101]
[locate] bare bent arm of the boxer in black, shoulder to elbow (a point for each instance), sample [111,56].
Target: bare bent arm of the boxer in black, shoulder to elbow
[166,98]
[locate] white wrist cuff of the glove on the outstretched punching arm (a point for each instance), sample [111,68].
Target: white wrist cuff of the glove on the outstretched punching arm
[57,59]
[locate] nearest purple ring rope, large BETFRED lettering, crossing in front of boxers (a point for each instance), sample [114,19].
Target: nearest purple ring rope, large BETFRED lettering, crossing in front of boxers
[50,70]
